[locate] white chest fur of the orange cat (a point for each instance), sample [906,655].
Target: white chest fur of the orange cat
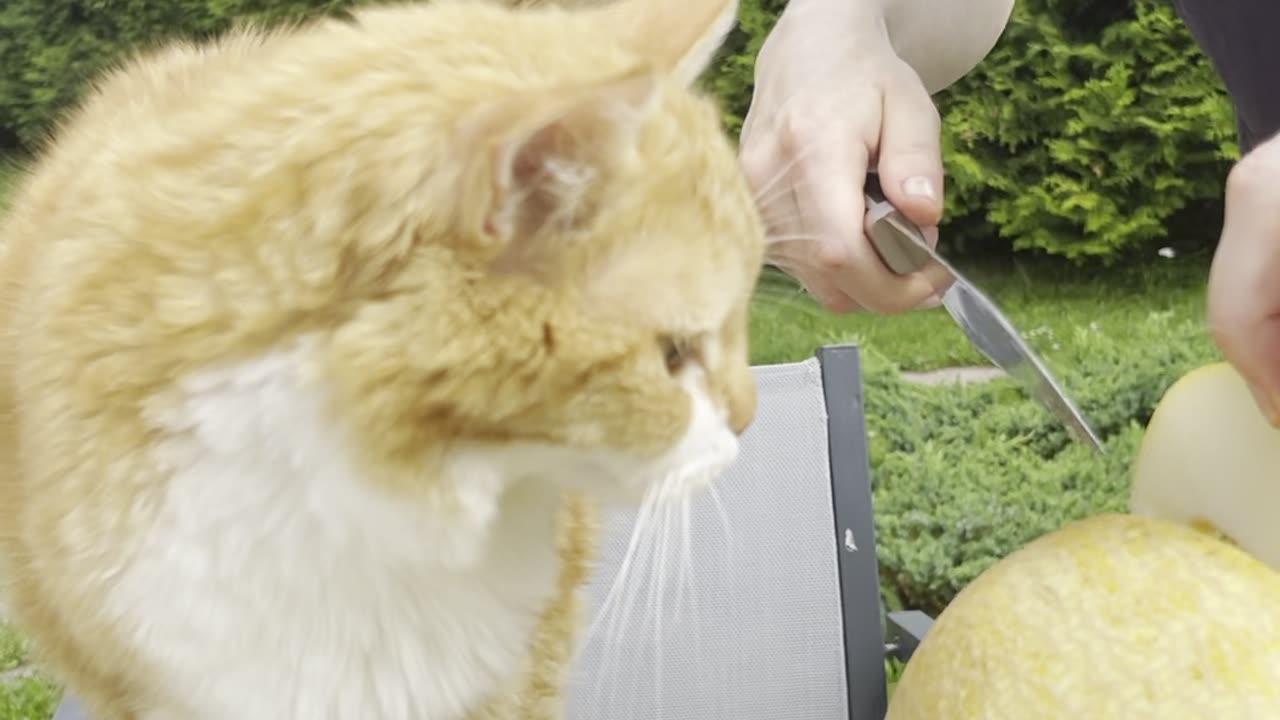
[277,585]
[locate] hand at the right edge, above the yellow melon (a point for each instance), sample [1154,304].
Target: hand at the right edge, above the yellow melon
[1245,281]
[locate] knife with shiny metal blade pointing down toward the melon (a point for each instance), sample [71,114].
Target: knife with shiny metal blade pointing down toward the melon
[903,248]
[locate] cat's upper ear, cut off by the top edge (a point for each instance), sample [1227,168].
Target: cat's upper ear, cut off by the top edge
[678,37]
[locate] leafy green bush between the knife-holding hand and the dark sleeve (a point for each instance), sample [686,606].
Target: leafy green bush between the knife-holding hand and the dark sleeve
[1089,131]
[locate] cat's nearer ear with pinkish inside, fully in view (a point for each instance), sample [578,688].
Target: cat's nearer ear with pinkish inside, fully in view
[542,153]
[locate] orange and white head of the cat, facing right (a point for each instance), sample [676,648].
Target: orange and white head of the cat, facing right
[612,247]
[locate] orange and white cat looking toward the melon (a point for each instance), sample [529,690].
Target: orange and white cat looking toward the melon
[310,335]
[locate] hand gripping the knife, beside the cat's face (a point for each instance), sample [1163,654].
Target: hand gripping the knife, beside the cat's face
[831,101]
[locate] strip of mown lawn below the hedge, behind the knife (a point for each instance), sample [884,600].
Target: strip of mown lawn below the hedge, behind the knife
[1048,304]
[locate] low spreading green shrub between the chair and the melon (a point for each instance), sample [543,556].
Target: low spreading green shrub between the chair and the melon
[966,475]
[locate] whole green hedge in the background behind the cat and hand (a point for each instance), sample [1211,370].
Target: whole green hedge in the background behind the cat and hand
[1094,127]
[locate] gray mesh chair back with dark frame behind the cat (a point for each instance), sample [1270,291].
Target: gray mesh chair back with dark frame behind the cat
[780,617]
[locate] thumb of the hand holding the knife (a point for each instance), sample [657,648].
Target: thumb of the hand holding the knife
[911,151]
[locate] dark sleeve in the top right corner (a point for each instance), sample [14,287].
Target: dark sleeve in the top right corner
[1240,39]
